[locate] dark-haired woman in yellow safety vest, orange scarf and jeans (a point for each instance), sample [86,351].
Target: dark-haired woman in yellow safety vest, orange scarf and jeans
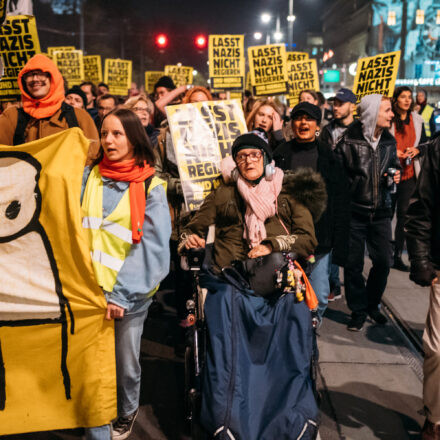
[127,220]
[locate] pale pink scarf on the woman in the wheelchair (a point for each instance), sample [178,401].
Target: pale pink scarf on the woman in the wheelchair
[261,201]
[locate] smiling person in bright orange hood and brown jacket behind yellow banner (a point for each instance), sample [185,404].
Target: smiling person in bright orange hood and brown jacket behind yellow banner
[44,111]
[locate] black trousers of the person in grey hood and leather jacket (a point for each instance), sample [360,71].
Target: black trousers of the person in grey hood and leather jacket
[376,234]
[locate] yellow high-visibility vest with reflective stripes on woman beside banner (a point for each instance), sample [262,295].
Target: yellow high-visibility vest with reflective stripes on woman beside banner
[110,238]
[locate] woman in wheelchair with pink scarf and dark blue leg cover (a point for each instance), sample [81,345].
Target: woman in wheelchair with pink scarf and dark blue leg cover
[256,381]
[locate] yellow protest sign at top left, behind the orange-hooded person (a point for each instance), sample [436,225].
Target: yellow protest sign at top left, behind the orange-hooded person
[18,44]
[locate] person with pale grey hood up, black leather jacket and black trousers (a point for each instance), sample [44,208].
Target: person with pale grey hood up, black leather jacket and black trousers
[368,153]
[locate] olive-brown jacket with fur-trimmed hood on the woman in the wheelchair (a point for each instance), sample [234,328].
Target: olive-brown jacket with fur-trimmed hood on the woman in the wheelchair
[301,199]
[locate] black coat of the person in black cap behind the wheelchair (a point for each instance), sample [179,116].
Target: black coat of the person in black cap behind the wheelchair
[331,229]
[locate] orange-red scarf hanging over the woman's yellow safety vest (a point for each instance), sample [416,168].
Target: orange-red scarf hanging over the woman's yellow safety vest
[127,171]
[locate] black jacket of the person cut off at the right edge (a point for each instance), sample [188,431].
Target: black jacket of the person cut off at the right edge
[423,218]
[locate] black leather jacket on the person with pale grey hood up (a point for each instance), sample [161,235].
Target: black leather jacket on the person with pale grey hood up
[366,167]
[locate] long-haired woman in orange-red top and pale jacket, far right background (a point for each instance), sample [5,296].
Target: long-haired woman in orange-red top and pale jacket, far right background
[408,129]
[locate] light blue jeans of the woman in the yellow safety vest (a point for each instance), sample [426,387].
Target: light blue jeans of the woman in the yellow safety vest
[128,333]
